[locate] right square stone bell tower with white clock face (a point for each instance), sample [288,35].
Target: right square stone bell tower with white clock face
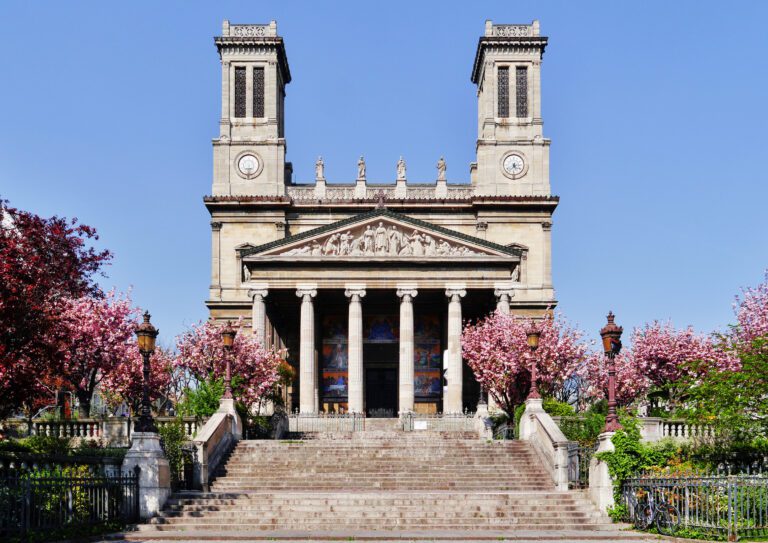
[512,153]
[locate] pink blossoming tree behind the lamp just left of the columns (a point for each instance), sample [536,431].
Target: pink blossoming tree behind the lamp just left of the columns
[254,368]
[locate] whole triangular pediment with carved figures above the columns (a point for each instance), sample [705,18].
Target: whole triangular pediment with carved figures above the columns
[381,234]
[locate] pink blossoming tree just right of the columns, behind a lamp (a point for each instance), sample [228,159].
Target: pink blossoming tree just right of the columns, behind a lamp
[497,351]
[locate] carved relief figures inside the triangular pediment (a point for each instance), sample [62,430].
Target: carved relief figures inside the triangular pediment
[382,239]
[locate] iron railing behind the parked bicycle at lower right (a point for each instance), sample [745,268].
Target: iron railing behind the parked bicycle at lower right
[729,506]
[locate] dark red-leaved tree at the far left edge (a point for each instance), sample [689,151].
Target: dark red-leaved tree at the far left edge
[41,261]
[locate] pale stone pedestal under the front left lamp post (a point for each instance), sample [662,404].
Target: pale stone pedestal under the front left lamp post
[155,475]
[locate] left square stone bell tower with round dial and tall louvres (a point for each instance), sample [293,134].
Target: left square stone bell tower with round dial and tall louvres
[249,154]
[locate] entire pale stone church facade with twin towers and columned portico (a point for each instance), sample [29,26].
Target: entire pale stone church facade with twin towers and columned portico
[367,284]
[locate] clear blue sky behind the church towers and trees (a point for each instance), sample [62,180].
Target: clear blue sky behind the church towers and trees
[657,113]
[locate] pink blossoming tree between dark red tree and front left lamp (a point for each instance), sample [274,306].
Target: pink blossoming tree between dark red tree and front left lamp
[94,336]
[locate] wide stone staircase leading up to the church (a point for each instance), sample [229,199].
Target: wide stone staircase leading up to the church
[415,484]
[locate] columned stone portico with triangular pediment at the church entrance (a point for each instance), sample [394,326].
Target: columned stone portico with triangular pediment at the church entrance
[379,333]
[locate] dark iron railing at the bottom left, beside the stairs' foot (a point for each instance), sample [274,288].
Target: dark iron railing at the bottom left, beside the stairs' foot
[67,502]
